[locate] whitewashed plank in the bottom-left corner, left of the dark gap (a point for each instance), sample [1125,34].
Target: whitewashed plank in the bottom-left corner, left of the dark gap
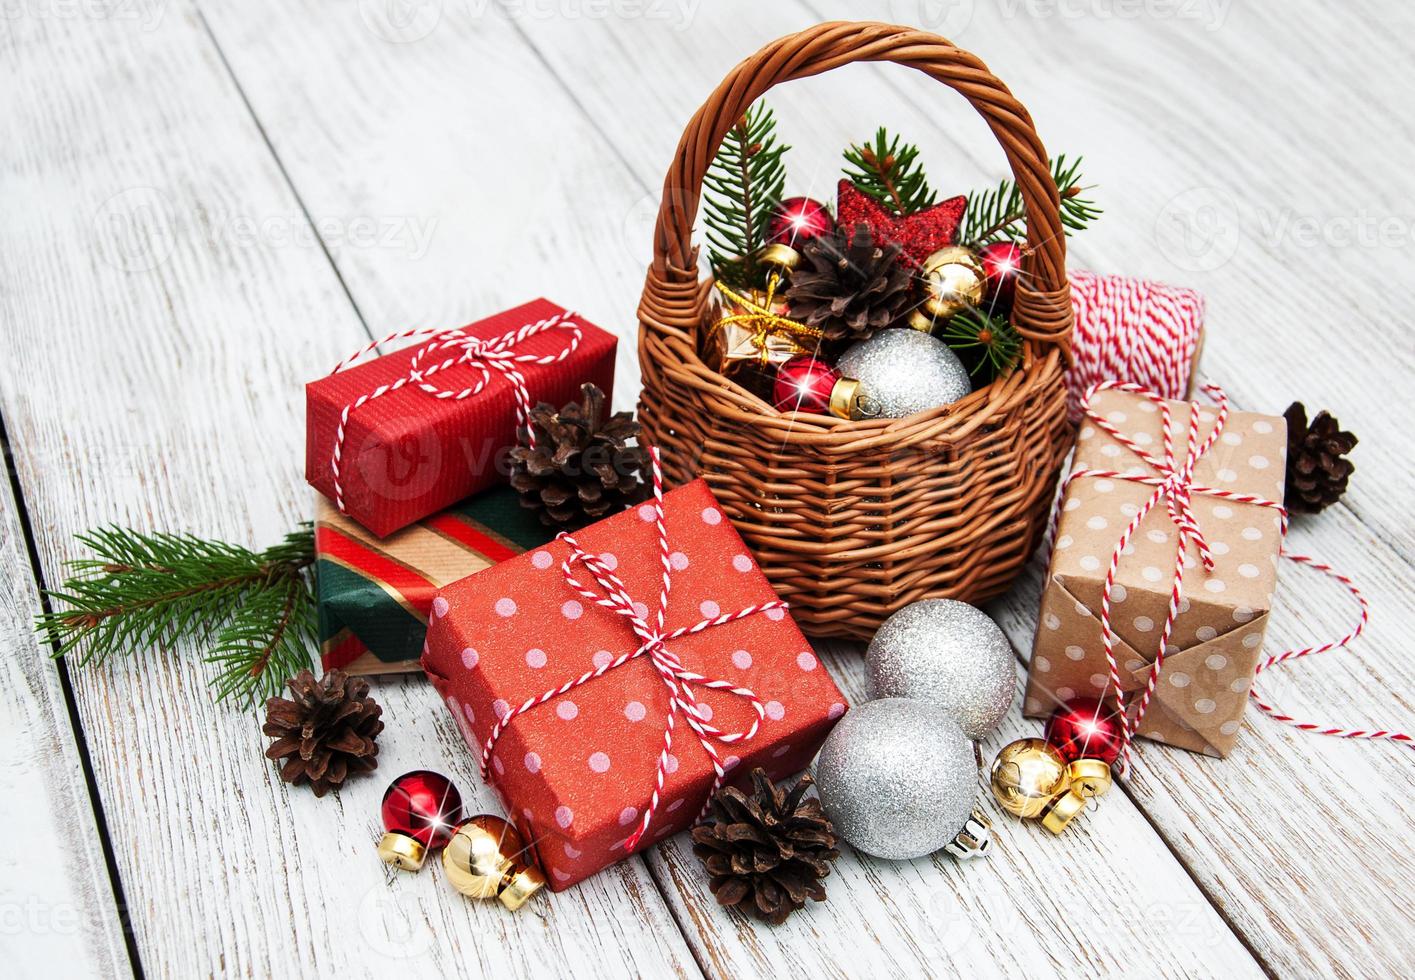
[56,897]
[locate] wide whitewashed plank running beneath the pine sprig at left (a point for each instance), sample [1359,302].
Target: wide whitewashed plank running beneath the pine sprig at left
[156,349]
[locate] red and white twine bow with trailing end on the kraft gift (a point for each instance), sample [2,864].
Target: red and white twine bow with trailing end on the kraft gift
[1174,483]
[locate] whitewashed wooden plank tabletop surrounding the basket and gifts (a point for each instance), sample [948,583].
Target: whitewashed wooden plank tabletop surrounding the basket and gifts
[459,163]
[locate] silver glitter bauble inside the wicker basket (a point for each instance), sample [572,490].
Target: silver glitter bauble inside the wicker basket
[903,371]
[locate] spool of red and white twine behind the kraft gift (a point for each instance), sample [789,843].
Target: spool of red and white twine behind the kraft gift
[1131,330]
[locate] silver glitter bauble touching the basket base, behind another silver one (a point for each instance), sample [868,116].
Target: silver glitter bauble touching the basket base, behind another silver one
[949,654]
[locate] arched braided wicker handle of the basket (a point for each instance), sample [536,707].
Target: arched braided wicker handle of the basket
[1042,309]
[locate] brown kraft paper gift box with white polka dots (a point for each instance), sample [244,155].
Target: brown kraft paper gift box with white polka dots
[1209,667]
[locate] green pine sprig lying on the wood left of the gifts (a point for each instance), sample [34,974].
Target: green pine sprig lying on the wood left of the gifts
[156,589]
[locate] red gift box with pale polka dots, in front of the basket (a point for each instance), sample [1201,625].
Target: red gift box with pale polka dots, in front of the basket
[578,773]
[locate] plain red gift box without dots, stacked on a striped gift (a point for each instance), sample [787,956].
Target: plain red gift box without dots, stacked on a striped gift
[410,455]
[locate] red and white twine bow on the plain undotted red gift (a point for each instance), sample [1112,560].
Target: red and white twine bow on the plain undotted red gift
[483,356]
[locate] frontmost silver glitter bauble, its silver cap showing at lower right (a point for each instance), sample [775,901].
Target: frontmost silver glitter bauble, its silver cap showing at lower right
[898,778]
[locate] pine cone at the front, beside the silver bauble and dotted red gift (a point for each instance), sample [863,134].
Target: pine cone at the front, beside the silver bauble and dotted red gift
[769,851]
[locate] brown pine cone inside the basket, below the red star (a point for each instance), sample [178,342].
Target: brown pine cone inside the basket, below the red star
[850,288]
